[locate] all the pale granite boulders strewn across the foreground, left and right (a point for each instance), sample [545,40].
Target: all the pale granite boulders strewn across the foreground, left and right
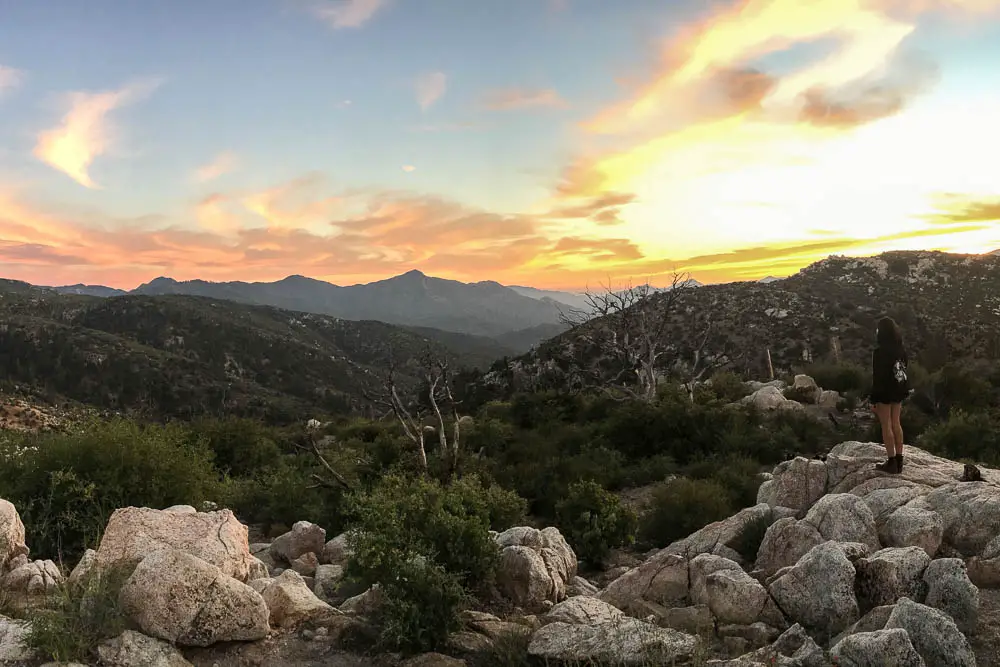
[837,563]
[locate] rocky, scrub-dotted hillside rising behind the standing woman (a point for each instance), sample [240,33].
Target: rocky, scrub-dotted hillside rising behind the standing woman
[948,306]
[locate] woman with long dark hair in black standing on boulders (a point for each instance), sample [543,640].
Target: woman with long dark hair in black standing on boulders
[890,385]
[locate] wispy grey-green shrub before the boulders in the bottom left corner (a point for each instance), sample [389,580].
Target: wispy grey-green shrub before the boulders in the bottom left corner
[77,618]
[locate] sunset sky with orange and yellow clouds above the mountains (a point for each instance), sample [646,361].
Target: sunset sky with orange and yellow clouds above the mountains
[552,143]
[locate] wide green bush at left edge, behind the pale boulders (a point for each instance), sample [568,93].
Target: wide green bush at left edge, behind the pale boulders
[66,485]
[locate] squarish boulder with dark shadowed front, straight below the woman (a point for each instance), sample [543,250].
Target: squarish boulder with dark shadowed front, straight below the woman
[891,574]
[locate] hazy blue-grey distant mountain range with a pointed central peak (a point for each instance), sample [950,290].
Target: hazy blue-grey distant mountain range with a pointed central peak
[521,316]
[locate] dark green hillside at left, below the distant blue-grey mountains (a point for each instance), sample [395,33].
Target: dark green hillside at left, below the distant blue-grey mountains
[183,356]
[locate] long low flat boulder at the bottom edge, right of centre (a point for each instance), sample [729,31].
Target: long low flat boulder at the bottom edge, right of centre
[625,641]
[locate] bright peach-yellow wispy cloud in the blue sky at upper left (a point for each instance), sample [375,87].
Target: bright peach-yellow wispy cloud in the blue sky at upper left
[85,132]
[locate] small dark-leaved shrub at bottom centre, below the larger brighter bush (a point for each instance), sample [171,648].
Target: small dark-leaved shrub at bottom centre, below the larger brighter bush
[420,609]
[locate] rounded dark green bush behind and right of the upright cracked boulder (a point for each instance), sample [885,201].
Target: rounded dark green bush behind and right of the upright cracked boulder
[595,521]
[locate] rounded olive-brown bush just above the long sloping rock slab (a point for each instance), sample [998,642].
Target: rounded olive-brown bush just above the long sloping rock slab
[681,507]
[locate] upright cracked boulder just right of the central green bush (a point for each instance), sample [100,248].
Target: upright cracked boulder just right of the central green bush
[536,566]
